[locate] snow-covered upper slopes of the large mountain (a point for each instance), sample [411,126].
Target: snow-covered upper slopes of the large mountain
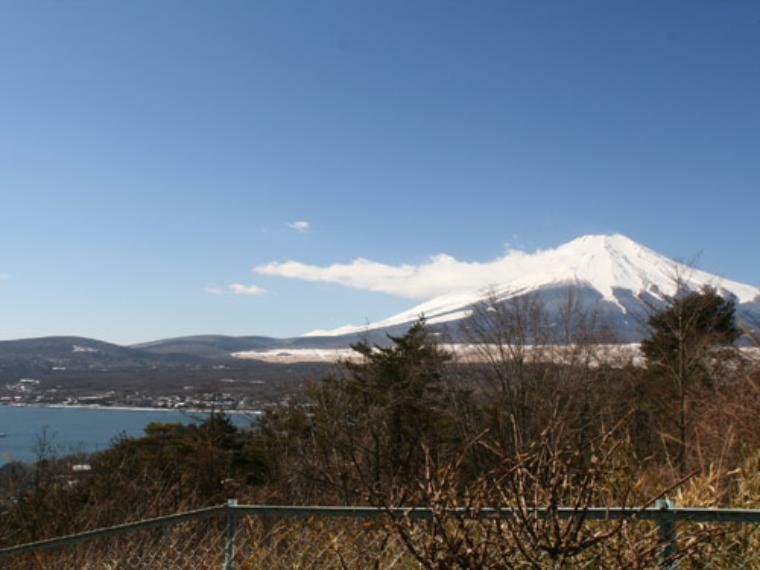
[611,271]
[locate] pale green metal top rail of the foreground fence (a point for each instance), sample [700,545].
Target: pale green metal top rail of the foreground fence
[751,516]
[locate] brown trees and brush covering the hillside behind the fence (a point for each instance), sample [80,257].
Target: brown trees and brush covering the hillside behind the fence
[408,425]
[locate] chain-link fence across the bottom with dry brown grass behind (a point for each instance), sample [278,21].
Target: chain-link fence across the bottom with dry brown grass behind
[252,537]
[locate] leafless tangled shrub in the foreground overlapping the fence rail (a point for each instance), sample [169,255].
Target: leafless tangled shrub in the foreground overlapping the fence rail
[529,526]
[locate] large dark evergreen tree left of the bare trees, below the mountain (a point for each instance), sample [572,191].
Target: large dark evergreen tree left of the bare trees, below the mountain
[362,431]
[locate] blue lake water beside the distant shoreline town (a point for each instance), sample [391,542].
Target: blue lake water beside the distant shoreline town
[80,429]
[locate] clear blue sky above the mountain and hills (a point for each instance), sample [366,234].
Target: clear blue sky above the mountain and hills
[152,154]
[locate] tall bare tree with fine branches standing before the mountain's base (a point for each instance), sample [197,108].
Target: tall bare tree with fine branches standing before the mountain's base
[530,362]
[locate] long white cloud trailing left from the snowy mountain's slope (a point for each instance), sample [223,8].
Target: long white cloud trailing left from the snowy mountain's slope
[439,274]
